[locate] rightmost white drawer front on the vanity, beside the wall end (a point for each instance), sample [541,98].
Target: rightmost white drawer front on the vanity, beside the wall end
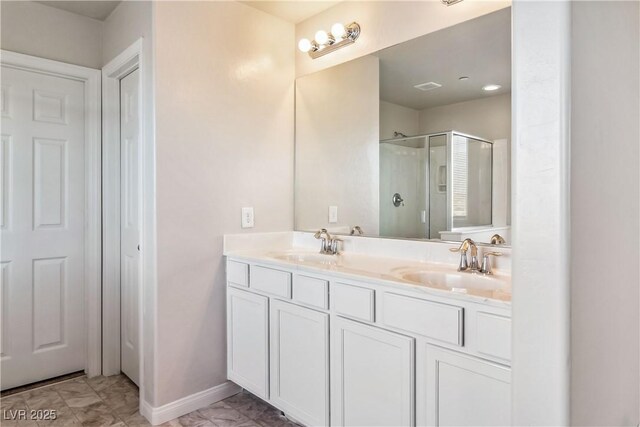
[493,335]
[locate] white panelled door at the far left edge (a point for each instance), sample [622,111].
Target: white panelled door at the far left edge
[42,227]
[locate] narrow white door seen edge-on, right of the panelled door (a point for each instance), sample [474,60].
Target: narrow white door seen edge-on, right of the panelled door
[130,224]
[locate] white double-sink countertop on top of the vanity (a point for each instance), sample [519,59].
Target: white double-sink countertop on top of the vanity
[447,282]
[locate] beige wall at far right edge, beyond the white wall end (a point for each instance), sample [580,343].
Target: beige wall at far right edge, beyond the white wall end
[605,213]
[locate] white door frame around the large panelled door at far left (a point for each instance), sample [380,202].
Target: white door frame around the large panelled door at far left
[93,219]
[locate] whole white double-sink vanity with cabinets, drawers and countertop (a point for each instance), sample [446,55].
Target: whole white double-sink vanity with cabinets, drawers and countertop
[357,339]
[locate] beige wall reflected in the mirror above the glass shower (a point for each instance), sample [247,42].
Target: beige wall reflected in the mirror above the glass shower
[488,118]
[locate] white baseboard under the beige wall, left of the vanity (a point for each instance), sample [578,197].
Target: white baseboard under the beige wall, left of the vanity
[180,407]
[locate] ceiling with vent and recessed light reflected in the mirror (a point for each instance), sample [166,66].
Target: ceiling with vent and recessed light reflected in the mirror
[479,49]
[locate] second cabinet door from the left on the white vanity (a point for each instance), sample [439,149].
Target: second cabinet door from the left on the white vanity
[300,362]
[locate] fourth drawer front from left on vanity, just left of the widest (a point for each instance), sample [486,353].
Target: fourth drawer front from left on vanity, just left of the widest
[352,301]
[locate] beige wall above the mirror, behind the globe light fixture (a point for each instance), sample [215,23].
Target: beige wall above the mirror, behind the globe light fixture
[385,23]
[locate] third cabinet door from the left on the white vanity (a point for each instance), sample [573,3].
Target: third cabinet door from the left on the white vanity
[372,376]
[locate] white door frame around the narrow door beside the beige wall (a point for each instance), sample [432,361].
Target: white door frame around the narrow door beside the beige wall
[122,65]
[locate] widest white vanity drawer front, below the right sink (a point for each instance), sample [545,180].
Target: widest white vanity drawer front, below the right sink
[442,322]
